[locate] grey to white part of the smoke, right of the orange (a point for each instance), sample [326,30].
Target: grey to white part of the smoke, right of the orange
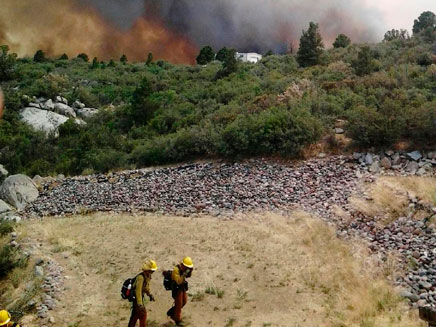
[249,25]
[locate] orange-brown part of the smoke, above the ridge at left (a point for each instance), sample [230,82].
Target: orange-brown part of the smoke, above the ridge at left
[64,26]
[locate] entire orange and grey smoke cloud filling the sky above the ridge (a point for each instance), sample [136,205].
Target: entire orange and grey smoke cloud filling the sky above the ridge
[175,29]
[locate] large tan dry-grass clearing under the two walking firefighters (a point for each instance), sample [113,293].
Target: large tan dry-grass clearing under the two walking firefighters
[254,271]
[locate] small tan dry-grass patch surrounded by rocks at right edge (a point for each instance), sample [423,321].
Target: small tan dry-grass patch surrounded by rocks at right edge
[389,196]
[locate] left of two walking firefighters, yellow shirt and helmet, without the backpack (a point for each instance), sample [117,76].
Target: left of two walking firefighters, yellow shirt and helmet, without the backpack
[141,286]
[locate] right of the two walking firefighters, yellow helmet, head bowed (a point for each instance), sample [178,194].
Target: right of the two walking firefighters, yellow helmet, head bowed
[179,288]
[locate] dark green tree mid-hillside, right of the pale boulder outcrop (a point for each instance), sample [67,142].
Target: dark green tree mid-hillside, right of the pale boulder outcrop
[143,107]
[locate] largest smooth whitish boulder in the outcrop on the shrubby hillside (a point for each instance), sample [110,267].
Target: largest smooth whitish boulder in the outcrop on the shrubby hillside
[43,120]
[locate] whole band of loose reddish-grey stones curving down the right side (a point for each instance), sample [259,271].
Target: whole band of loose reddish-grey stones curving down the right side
[318,186]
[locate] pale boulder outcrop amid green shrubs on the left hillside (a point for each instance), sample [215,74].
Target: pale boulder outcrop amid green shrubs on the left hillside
[47,115]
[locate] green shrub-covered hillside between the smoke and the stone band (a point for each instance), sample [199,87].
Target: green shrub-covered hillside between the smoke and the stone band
[142,114]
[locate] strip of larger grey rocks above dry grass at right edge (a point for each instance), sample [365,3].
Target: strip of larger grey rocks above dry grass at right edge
[411,163]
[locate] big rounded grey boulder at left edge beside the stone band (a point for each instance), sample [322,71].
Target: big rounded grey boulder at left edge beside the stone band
[18,191]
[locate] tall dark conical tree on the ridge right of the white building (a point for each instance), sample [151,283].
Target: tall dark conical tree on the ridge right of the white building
[311,47]
